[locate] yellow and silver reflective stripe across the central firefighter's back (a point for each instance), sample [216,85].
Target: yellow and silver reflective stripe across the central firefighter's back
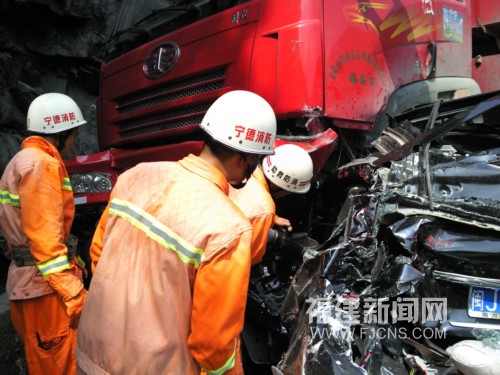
[156,231]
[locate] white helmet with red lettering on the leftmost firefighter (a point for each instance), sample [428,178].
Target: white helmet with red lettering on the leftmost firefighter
[53,113]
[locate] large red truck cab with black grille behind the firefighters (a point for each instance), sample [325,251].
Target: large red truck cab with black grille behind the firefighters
[328,68]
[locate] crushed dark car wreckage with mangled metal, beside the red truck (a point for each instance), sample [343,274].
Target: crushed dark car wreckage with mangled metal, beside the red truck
[408,271]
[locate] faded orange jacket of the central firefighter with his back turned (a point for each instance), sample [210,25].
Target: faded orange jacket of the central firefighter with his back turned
[171,260]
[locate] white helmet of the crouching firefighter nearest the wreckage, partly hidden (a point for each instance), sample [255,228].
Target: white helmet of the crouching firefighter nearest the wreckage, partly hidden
[290,168]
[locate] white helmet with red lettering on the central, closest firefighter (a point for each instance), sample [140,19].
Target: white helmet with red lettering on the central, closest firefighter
[243,121]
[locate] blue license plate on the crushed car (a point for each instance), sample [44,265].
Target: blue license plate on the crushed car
[484,303]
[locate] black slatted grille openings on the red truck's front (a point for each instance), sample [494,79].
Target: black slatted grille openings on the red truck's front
[173,119]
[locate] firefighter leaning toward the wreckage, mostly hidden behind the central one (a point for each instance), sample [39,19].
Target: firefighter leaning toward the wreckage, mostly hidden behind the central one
[288,171]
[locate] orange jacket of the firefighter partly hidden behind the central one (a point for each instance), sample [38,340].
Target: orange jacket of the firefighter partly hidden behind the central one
[258,206]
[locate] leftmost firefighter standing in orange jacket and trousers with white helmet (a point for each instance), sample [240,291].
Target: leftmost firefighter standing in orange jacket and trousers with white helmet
[44,281]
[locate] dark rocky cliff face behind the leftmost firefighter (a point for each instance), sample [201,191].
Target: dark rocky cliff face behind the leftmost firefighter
[50,46]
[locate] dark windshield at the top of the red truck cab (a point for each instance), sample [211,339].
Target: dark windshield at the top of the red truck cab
[142,21]
